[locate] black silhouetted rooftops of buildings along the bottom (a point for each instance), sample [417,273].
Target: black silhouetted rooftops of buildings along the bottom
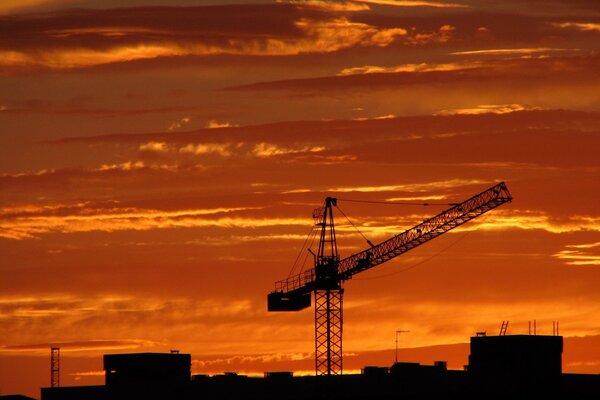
[500,367]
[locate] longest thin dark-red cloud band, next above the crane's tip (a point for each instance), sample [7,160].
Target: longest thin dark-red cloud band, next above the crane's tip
[354,131]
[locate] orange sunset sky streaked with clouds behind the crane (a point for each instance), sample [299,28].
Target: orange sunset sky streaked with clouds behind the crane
[160,161]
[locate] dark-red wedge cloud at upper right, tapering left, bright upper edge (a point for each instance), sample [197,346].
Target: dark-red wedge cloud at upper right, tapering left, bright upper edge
[539,71]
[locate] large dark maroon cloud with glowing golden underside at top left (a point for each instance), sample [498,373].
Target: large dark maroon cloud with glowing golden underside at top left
[87,38]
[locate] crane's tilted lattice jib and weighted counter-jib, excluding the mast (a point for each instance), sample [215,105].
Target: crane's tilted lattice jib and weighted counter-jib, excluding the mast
[294,290]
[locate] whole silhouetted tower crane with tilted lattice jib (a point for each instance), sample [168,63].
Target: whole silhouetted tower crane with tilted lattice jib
[329,273]
